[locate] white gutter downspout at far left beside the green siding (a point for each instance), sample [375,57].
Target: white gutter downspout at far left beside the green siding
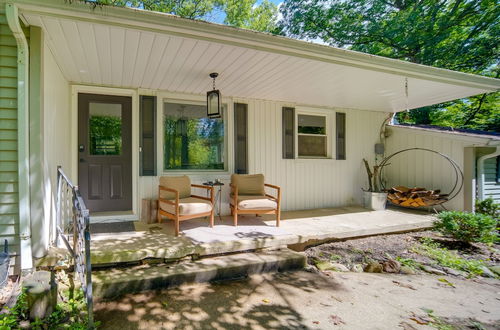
[12,15]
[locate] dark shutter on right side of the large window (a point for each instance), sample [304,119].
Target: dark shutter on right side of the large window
[241,138]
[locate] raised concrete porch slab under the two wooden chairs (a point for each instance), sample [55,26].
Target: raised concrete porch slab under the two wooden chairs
[298,228]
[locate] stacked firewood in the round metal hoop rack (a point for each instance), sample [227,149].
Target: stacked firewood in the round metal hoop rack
[415,197]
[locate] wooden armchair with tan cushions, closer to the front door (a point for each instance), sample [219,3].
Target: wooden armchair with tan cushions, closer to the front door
[176,202]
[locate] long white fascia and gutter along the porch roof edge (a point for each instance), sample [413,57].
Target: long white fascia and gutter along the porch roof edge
[174,25]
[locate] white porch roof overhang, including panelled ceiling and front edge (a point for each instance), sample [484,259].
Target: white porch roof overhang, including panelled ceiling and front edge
[132,48]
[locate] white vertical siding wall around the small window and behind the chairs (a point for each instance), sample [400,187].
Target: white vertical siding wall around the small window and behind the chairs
[305,183]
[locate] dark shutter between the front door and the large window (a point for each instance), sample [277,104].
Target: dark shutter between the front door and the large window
[147,135]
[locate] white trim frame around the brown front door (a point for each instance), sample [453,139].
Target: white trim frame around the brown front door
[75,89]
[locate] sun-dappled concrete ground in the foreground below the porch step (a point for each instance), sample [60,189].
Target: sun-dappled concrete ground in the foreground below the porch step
[305,300]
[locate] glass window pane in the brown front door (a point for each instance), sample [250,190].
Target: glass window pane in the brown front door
[105,128]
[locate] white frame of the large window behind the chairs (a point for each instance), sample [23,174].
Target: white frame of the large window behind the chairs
[189,99]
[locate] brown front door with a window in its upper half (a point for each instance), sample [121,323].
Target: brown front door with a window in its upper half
[105,151]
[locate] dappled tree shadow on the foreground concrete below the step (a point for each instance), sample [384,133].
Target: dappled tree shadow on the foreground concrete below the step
[226,305]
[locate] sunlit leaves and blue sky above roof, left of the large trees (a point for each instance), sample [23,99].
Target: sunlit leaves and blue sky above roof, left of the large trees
[245,13]
